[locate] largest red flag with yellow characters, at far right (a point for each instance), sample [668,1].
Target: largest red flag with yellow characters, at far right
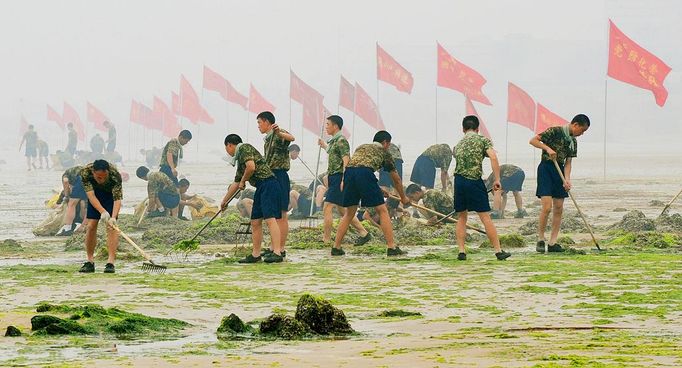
[631,63]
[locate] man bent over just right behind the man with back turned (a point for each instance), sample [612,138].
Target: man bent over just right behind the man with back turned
[512,178]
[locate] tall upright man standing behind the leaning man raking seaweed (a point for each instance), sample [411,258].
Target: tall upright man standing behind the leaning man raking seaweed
[276,149]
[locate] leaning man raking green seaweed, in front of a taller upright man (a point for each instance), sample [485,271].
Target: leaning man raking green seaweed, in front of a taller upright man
[251,167]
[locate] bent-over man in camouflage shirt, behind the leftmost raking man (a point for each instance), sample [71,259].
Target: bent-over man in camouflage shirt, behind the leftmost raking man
[163,195]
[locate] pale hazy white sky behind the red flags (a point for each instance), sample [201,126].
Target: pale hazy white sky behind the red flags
[108,52]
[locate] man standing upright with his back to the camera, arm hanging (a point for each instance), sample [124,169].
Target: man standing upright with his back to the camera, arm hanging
[470,192]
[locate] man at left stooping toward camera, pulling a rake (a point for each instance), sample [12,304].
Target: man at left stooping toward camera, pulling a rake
[103,186]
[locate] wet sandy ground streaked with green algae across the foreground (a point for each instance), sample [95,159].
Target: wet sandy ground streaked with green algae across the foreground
[617,308]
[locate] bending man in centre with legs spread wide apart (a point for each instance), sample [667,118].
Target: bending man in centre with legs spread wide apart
[361,186]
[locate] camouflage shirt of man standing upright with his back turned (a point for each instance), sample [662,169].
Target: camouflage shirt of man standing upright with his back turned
[469,155]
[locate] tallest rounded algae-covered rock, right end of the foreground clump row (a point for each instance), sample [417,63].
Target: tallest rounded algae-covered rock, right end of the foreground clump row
[321,316]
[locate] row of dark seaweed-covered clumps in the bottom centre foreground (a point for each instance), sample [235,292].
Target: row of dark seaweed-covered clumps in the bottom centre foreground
[315,318]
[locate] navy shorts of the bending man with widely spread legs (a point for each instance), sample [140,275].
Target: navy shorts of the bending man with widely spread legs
[360,186]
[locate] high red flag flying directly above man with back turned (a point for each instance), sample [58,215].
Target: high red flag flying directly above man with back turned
[455,75]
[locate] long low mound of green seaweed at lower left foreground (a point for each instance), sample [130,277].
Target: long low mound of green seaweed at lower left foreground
[93,319]
